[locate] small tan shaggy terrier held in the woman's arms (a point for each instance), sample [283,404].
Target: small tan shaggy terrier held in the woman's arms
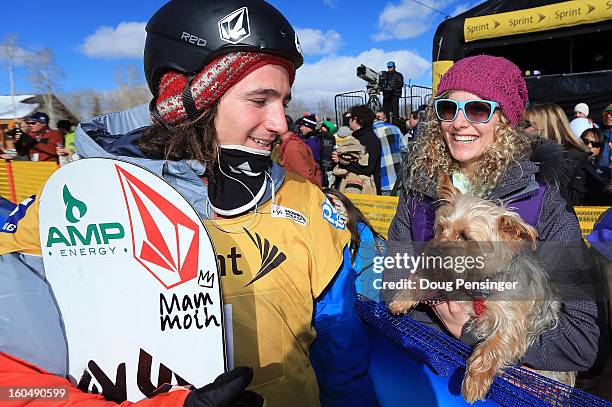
[505,322]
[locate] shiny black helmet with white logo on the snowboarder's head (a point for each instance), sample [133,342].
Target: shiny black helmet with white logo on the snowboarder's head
[185,35]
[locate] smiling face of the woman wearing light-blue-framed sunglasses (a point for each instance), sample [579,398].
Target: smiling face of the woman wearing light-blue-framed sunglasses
[467,141]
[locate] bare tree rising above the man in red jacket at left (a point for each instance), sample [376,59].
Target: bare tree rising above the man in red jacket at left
[45,74]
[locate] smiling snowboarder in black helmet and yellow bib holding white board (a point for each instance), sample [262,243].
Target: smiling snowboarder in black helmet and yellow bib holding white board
[208,132]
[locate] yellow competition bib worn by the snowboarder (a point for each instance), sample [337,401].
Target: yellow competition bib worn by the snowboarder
[272,268]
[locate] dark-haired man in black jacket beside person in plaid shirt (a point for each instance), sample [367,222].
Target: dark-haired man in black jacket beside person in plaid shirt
[360,121]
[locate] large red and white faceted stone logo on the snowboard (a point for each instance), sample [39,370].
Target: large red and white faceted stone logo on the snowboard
[165,240]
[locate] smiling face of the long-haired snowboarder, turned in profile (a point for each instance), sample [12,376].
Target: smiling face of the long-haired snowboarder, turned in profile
[252,112]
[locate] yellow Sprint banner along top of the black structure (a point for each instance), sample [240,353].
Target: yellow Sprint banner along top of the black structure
[558,15]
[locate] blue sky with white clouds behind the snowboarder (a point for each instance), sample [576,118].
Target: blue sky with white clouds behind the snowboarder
[92,41]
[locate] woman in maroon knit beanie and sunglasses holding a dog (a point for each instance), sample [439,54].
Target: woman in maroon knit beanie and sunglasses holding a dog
[472,137]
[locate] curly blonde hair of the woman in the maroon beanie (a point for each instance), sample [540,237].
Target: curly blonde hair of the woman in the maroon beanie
[430,157]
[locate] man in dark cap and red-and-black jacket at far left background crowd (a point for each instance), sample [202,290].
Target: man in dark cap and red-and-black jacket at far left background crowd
[39,141]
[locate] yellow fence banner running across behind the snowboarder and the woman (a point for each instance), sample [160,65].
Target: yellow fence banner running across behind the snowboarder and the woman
[21,179]
